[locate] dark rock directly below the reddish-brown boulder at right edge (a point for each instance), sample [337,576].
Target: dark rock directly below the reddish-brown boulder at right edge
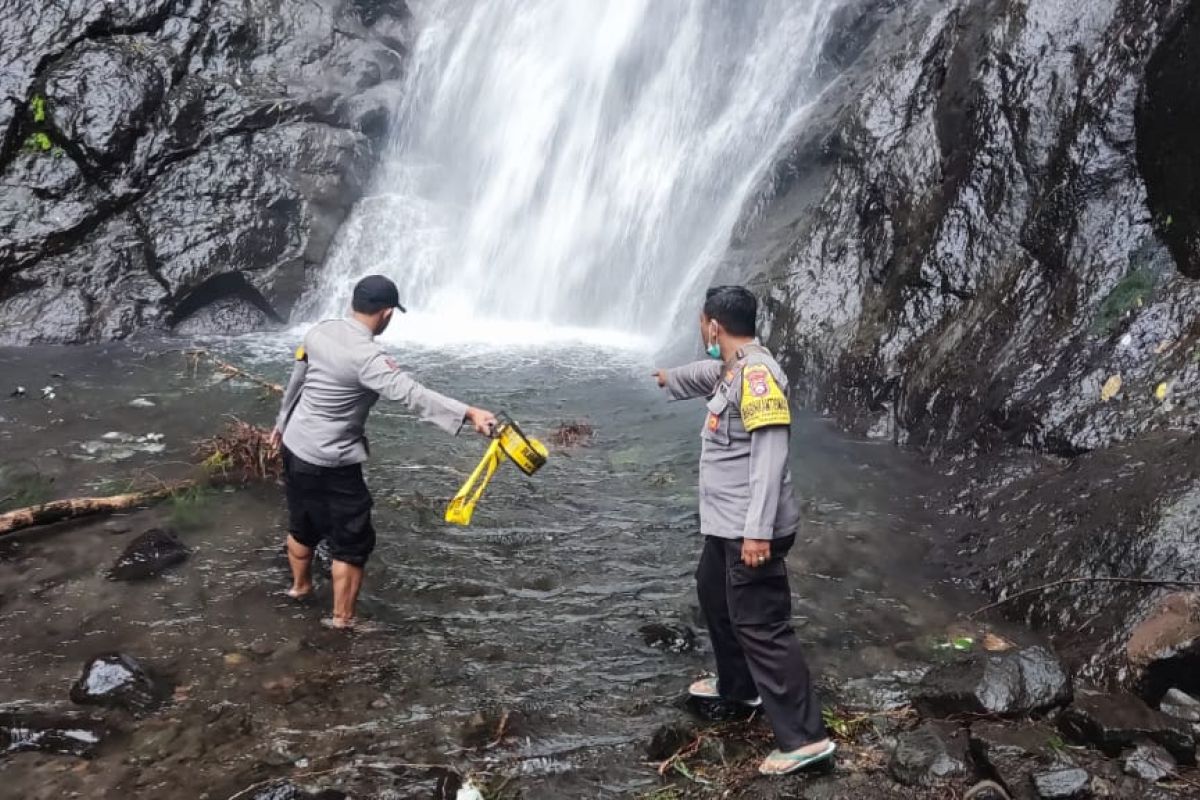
[1113,723]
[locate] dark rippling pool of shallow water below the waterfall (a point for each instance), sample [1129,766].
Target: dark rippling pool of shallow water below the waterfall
[541,609]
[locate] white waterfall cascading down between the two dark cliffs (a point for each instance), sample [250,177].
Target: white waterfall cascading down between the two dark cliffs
[562,166]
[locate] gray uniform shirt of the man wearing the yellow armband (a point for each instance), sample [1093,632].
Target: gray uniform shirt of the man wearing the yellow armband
[746,485]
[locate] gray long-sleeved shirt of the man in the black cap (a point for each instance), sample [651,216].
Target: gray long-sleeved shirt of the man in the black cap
[339,376]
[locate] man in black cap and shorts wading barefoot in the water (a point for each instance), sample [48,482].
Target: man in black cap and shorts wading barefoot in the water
[339,375]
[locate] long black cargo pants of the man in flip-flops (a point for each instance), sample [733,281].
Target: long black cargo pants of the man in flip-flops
[749,617]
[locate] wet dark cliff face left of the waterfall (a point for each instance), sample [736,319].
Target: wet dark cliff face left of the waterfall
[182,163]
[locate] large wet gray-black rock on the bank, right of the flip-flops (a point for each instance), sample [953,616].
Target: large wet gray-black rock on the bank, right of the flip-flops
[1006,684]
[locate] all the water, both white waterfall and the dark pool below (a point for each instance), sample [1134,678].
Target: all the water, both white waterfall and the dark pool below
[560,171]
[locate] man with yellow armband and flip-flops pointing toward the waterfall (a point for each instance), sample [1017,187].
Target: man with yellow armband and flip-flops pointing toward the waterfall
[749,519]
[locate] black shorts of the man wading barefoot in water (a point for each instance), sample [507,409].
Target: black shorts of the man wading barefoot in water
[331,503]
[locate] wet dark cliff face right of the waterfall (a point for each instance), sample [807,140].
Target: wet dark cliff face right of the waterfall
[986,246]
